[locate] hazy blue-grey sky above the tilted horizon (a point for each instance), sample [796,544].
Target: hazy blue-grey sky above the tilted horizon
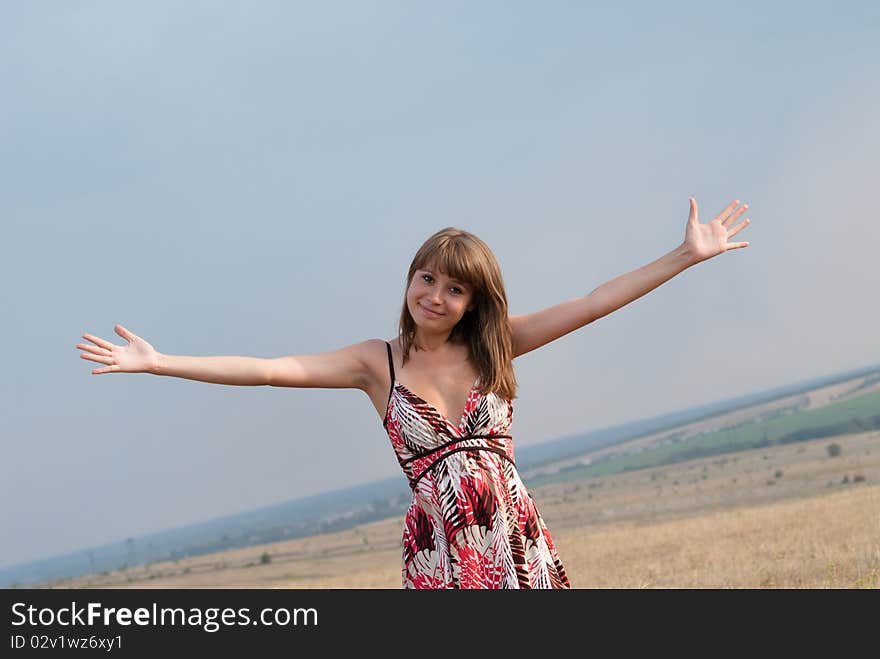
[254,179]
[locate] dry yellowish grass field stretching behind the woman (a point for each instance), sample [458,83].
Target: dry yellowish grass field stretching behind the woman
[782,517]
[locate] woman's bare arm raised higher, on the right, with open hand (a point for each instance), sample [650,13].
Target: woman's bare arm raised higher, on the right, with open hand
[701,242]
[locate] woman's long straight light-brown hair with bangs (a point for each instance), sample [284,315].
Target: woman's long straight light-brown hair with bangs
[485,329]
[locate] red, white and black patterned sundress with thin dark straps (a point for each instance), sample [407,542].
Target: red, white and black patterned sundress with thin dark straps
[471,524]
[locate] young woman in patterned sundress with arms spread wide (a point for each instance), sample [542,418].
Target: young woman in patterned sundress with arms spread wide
[444,388]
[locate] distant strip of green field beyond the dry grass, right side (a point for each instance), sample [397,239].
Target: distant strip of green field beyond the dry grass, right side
[854,415]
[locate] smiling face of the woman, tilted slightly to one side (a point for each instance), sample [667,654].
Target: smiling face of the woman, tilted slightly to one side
[436,301]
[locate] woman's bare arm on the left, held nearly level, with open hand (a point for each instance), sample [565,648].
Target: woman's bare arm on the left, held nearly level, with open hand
[348,367]
